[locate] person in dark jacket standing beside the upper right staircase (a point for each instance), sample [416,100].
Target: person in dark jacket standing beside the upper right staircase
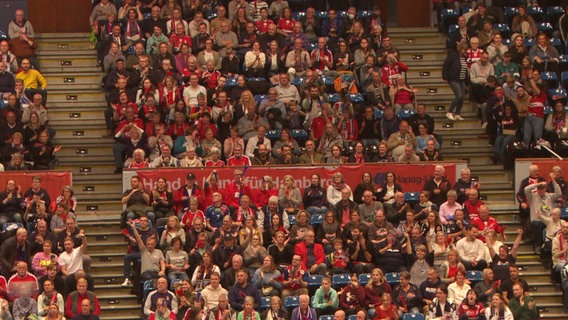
[455,73]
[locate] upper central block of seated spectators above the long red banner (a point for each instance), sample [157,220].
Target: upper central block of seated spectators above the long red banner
[251,83]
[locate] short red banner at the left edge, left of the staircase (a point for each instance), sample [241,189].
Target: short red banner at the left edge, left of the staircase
[52,181]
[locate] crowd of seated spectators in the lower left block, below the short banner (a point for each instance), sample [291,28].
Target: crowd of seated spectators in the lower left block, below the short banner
[44,262]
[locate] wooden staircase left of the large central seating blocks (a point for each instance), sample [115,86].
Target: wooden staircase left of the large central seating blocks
[76,105]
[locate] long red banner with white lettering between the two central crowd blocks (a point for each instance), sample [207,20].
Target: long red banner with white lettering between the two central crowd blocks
[410,177]
